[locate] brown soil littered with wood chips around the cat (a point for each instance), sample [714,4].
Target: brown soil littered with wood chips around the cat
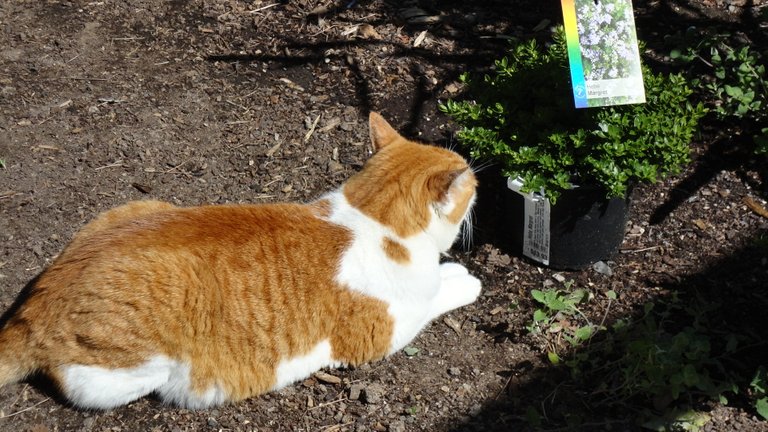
[226,101]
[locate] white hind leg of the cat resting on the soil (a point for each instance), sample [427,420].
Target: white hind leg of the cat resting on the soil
[98,387]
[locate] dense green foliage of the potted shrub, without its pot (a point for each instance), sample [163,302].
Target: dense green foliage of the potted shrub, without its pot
[522,116]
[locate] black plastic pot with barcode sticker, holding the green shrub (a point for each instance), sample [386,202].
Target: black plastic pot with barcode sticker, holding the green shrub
[584,227]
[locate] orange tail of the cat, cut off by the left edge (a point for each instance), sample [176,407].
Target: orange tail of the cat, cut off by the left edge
[15,358]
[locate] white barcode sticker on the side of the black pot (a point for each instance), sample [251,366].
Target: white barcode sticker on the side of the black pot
[536,220]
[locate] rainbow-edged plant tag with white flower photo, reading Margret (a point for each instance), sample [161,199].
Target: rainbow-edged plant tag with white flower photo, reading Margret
[602,52]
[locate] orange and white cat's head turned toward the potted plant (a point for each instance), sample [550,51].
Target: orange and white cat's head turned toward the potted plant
[413,188]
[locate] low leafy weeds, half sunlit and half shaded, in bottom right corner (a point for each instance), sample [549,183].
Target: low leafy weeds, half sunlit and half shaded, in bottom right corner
[660,362]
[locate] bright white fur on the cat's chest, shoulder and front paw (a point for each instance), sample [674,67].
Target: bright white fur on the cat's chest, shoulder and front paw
[415,290]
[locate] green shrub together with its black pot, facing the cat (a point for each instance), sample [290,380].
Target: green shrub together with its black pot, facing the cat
[521,116]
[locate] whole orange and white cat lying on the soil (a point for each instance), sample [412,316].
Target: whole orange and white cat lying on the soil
[211,304]
